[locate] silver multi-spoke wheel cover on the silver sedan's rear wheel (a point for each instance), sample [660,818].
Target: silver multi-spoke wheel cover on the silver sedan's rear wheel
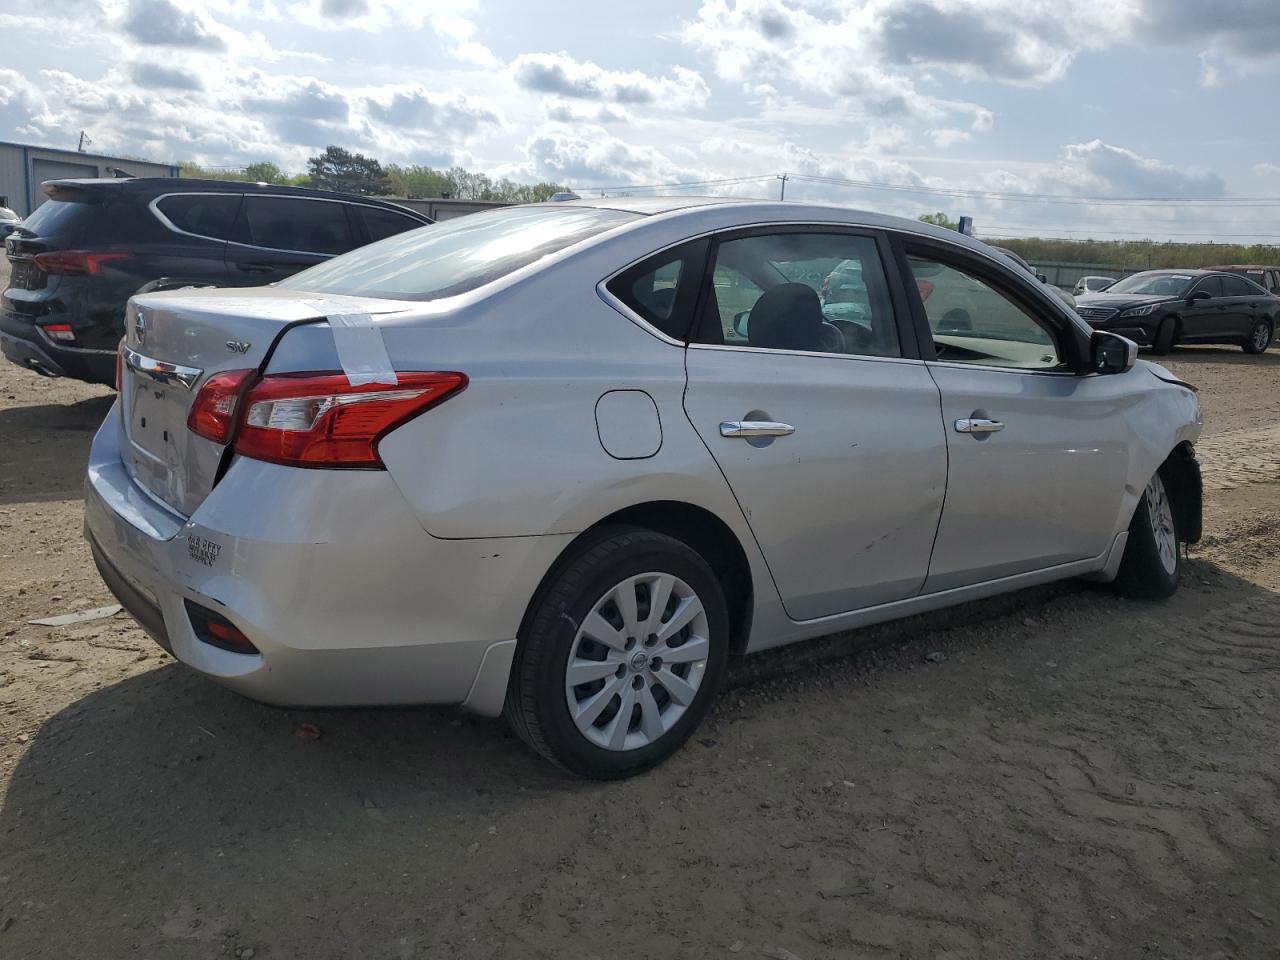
[638,661]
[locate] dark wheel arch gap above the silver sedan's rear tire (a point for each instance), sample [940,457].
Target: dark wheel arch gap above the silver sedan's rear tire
[698,529]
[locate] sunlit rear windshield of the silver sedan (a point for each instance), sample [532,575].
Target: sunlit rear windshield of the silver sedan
[452,258]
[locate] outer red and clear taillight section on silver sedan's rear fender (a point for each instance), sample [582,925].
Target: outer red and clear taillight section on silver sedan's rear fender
[321,420]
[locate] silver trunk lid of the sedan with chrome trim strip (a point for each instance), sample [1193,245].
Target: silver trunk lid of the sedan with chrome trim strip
[176,342]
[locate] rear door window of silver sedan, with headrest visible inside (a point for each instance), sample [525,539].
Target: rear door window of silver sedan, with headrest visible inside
[819,292]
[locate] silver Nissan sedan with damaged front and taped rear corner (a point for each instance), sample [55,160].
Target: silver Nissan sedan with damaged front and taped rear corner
[560,461]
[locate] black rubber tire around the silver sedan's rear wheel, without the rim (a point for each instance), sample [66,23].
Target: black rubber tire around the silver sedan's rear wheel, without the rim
[555,628]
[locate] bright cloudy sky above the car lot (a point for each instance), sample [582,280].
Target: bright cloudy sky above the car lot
[1054,118]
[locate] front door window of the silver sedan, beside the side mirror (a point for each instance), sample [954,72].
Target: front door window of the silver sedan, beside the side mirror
[976,323]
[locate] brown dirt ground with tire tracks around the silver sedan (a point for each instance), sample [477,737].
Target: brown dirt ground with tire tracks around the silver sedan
[1080,778]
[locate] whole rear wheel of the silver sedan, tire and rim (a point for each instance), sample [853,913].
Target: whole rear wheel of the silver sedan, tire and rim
[621,656]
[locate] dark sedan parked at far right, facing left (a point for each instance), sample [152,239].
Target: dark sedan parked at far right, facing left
[1160,309]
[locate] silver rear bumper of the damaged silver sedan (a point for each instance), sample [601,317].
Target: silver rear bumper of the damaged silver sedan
[345,596]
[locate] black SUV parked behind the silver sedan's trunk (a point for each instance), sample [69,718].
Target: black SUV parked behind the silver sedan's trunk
[94,244]
